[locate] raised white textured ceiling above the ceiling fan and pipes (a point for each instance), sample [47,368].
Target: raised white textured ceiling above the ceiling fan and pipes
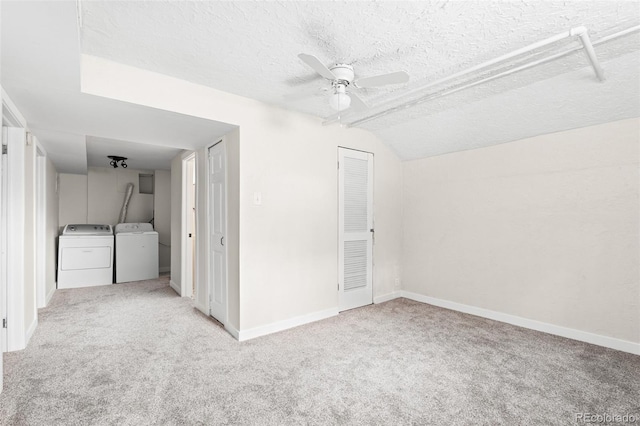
[251,48]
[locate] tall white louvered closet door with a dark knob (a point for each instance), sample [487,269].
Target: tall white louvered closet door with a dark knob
[355,205]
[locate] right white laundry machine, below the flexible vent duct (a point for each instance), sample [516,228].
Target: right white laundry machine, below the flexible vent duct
[136,252]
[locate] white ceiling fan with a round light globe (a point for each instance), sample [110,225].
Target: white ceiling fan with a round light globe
[343,80]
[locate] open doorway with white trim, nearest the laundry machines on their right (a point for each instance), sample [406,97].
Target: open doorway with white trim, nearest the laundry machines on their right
[189,233]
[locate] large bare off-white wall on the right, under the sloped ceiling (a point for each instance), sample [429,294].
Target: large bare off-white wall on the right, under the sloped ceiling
[544,228]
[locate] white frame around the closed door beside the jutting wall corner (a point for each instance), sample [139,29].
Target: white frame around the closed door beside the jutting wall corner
[210,281]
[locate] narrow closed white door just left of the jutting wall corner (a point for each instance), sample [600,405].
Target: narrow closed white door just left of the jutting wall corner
[217,230]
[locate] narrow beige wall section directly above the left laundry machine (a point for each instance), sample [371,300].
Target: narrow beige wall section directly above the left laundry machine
[72,199]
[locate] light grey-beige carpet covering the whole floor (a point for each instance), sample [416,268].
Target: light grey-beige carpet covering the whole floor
[136,354]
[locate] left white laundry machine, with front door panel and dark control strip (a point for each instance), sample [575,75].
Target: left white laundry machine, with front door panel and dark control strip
[85,256]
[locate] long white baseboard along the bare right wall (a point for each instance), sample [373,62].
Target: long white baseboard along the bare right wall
[583,336]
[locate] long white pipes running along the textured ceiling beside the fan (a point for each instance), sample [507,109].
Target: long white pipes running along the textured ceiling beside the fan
[398,104]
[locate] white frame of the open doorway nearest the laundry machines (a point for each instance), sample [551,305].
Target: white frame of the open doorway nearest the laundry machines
[187,277]
